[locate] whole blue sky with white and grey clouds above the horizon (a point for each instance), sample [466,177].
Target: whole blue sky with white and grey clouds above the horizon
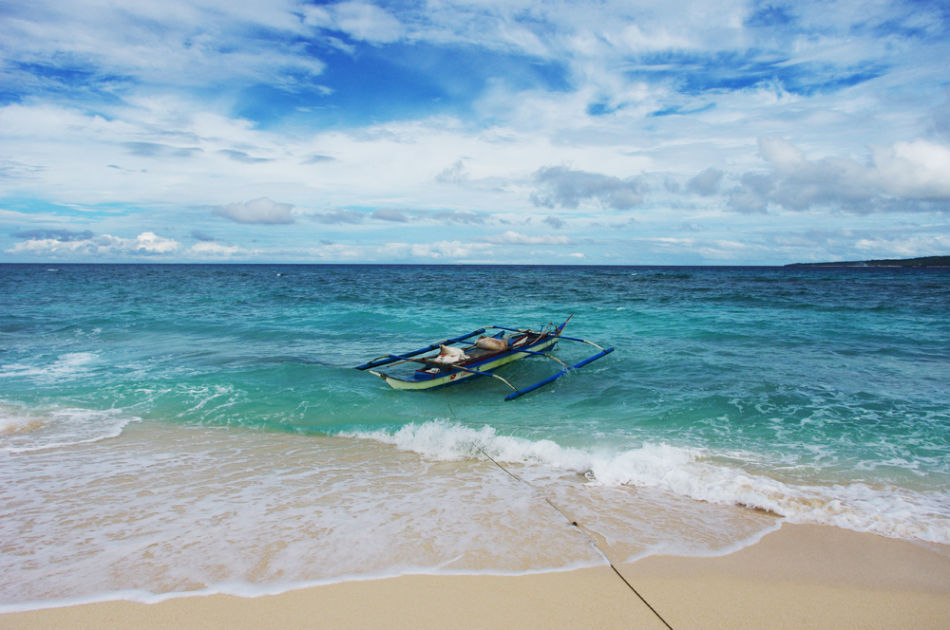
[497,131]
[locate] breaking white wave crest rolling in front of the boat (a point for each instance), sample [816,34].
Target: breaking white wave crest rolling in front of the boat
[693,473]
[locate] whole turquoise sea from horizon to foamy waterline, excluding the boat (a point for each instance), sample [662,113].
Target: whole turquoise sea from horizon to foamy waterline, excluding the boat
[177,428]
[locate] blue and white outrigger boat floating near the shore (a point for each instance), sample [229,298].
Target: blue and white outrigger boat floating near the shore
[490,351]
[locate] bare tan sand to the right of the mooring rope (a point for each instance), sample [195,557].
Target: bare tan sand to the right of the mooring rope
[803,577]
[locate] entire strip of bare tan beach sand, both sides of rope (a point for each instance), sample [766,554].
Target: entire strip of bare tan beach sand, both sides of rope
[798,577]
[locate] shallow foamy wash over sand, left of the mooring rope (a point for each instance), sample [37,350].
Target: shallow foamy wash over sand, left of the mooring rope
[176,510]
